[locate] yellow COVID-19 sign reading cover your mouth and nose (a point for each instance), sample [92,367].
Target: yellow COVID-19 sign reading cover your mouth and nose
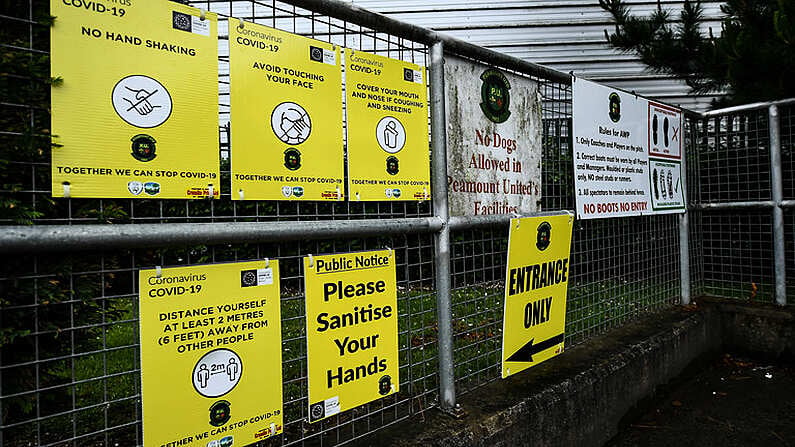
[388,153]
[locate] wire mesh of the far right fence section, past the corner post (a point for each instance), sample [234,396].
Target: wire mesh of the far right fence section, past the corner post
[732,248]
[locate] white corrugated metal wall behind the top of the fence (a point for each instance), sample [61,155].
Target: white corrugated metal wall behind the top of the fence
[566,35]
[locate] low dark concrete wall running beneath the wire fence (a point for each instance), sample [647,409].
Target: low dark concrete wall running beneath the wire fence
[580,398]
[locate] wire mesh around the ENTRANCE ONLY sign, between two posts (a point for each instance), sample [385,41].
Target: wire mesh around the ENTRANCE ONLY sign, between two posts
[620,268]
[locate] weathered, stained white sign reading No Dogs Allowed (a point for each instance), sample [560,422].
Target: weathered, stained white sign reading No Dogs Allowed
[493,140]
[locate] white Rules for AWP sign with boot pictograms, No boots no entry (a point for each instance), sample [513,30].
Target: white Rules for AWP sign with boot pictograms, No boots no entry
[627,154]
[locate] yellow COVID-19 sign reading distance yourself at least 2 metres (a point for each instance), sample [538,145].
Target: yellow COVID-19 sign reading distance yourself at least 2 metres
[211,352]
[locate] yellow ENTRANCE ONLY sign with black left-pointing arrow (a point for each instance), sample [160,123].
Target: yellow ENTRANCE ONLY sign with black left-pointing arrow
[536,281]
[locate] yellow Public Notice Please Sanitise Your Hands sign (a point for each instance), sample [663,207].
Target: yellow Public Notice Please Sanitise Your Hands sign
[351,330]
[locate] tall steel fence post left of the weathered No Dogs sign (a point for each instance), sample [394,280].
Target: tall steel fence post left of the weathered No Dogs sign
[442,245]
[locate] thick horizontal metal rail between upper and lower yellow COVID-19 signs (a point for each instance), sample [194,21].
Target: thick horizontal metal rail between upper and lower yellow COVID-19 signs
[60,238]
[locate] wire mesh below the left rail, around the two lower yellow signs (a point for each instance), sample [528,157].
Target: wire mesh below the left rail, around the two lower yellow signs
[71,372]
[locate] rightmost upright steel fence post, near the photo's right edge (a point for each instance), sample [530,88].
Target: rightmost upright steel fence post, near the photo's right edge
[777,194]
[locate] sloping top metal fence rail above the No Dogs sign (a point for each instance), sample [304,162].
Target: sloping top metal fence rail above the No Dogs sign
[360,16]
